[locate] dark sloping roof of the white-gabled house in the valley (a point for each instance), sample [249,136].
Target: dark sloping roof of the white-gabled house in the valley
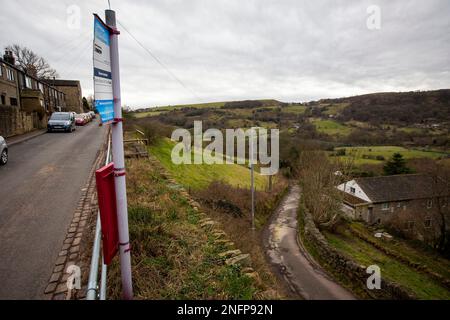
[401,187]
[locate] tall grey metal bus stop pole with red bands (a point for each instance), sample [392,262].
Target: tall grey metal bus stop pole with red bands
[119,162]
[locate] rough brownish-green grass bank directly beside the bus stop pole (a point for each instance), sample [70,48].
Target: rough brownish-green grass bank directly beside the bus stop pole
[173,257]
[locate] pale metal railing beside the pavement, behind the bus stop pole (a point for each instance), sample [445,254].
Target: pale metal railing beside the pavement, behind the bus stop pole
[94,291]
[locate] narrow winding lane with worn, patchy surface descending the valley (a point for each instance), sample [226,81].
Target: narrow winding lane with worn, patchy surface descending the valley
[302,274]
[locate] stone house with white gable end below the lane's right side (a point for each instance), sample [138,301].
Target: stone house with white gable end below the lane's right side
[380,200]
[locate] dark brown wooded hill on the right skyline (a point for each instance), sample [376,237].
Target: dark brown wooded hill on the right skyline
[406,108]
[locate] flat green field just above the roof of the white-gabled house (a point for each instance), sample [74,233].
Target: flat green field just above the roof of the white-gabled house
[387,152]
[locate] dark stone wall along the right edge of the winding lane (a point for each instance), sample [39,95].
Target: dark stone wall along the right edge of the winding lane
[353,272]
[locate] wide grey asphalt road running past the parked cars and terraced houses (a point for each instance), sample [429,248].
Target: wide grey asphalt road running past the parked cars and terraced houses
[39,190]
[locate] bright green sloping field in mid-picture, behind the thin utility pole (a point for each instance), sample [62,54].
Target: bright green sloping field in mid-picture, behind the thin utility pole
[200,176]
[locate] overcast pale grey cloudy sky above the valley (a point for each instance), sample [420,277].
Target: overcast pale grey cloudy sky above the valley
[222,50]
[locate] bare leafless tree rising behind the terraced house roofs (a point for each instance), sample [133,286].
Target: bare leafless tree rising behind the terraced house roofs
[32,63]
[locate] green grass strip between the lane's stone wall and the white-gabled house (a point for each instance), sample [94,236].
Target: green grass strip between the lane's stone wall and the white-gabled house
[421,284]
